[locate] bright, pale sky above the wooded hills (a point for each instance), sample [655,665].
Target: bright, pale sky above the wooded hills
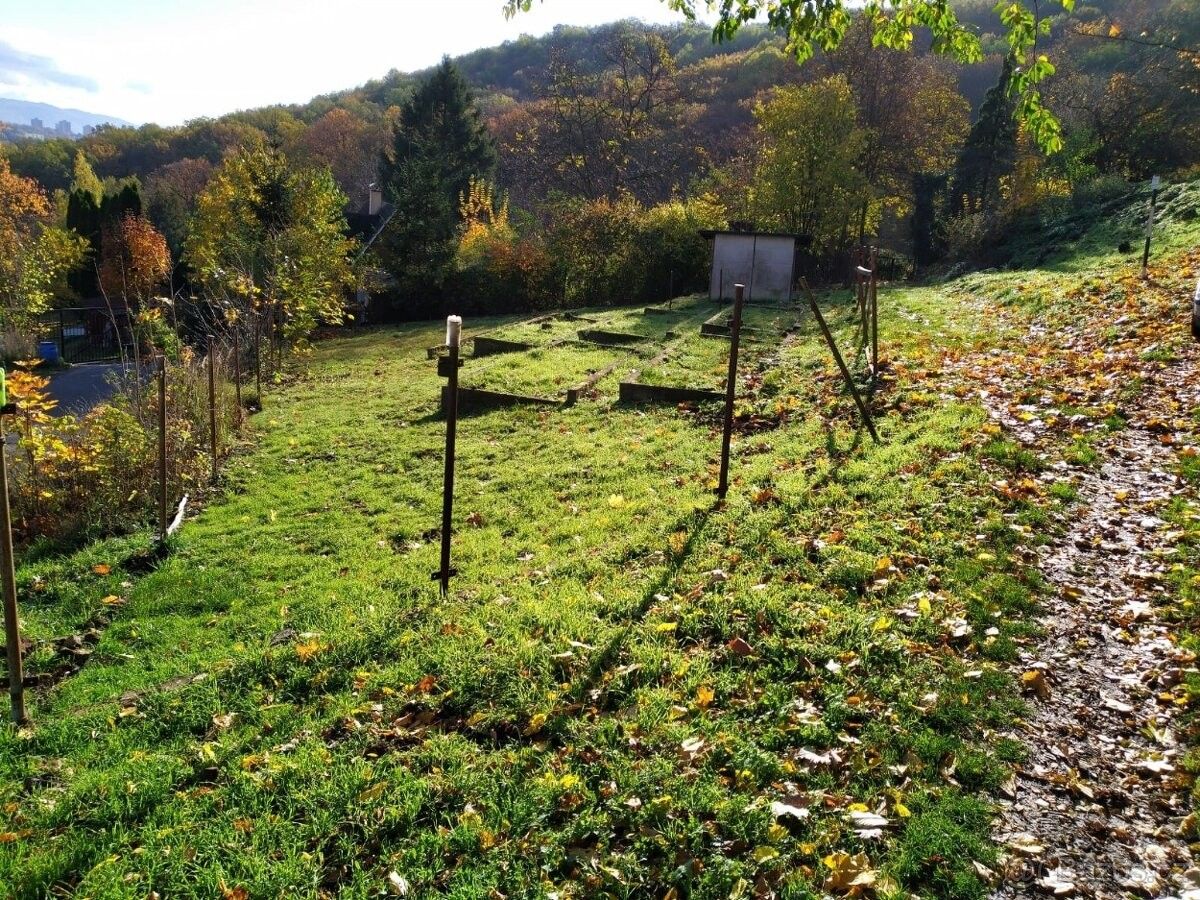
[172,61]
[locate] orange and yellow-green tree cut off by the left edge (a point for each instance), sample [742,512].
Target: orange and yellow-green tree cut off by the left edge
[34,253]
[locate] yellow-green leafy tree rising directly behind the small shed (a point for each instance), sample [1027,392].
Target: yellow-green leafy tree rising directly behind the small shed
[809,179]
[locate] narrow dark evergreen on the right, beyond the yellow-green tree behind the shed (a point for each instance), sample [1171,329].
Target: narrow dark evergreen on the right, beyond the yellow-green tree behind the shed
[989,152]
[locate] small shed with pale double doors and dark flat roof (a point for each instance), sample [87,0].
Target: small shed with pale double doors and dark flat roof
[763,261]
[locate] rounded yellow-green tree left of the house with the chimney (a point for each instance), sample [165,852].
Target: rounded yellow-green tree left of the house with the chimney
[271,239]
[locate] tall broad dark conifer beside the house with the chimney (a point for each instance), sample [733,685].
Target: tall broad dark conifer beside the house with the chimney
[439,146]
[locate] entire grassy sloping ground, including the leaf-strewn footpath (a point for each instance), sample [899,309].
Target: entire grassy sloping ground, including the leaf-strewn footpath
[833,683]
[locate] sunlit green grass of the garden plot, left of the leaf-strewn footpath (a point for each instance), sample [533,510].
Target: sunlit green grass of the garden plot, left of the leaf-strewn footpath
[574,718]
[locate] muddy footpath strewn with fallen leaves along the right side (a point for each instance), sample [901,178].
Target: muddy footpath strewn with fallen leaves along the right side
[1100,808]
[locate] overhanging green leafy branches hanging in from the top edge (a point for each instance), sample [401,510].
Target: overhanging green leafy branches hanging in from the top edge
[811,26]
